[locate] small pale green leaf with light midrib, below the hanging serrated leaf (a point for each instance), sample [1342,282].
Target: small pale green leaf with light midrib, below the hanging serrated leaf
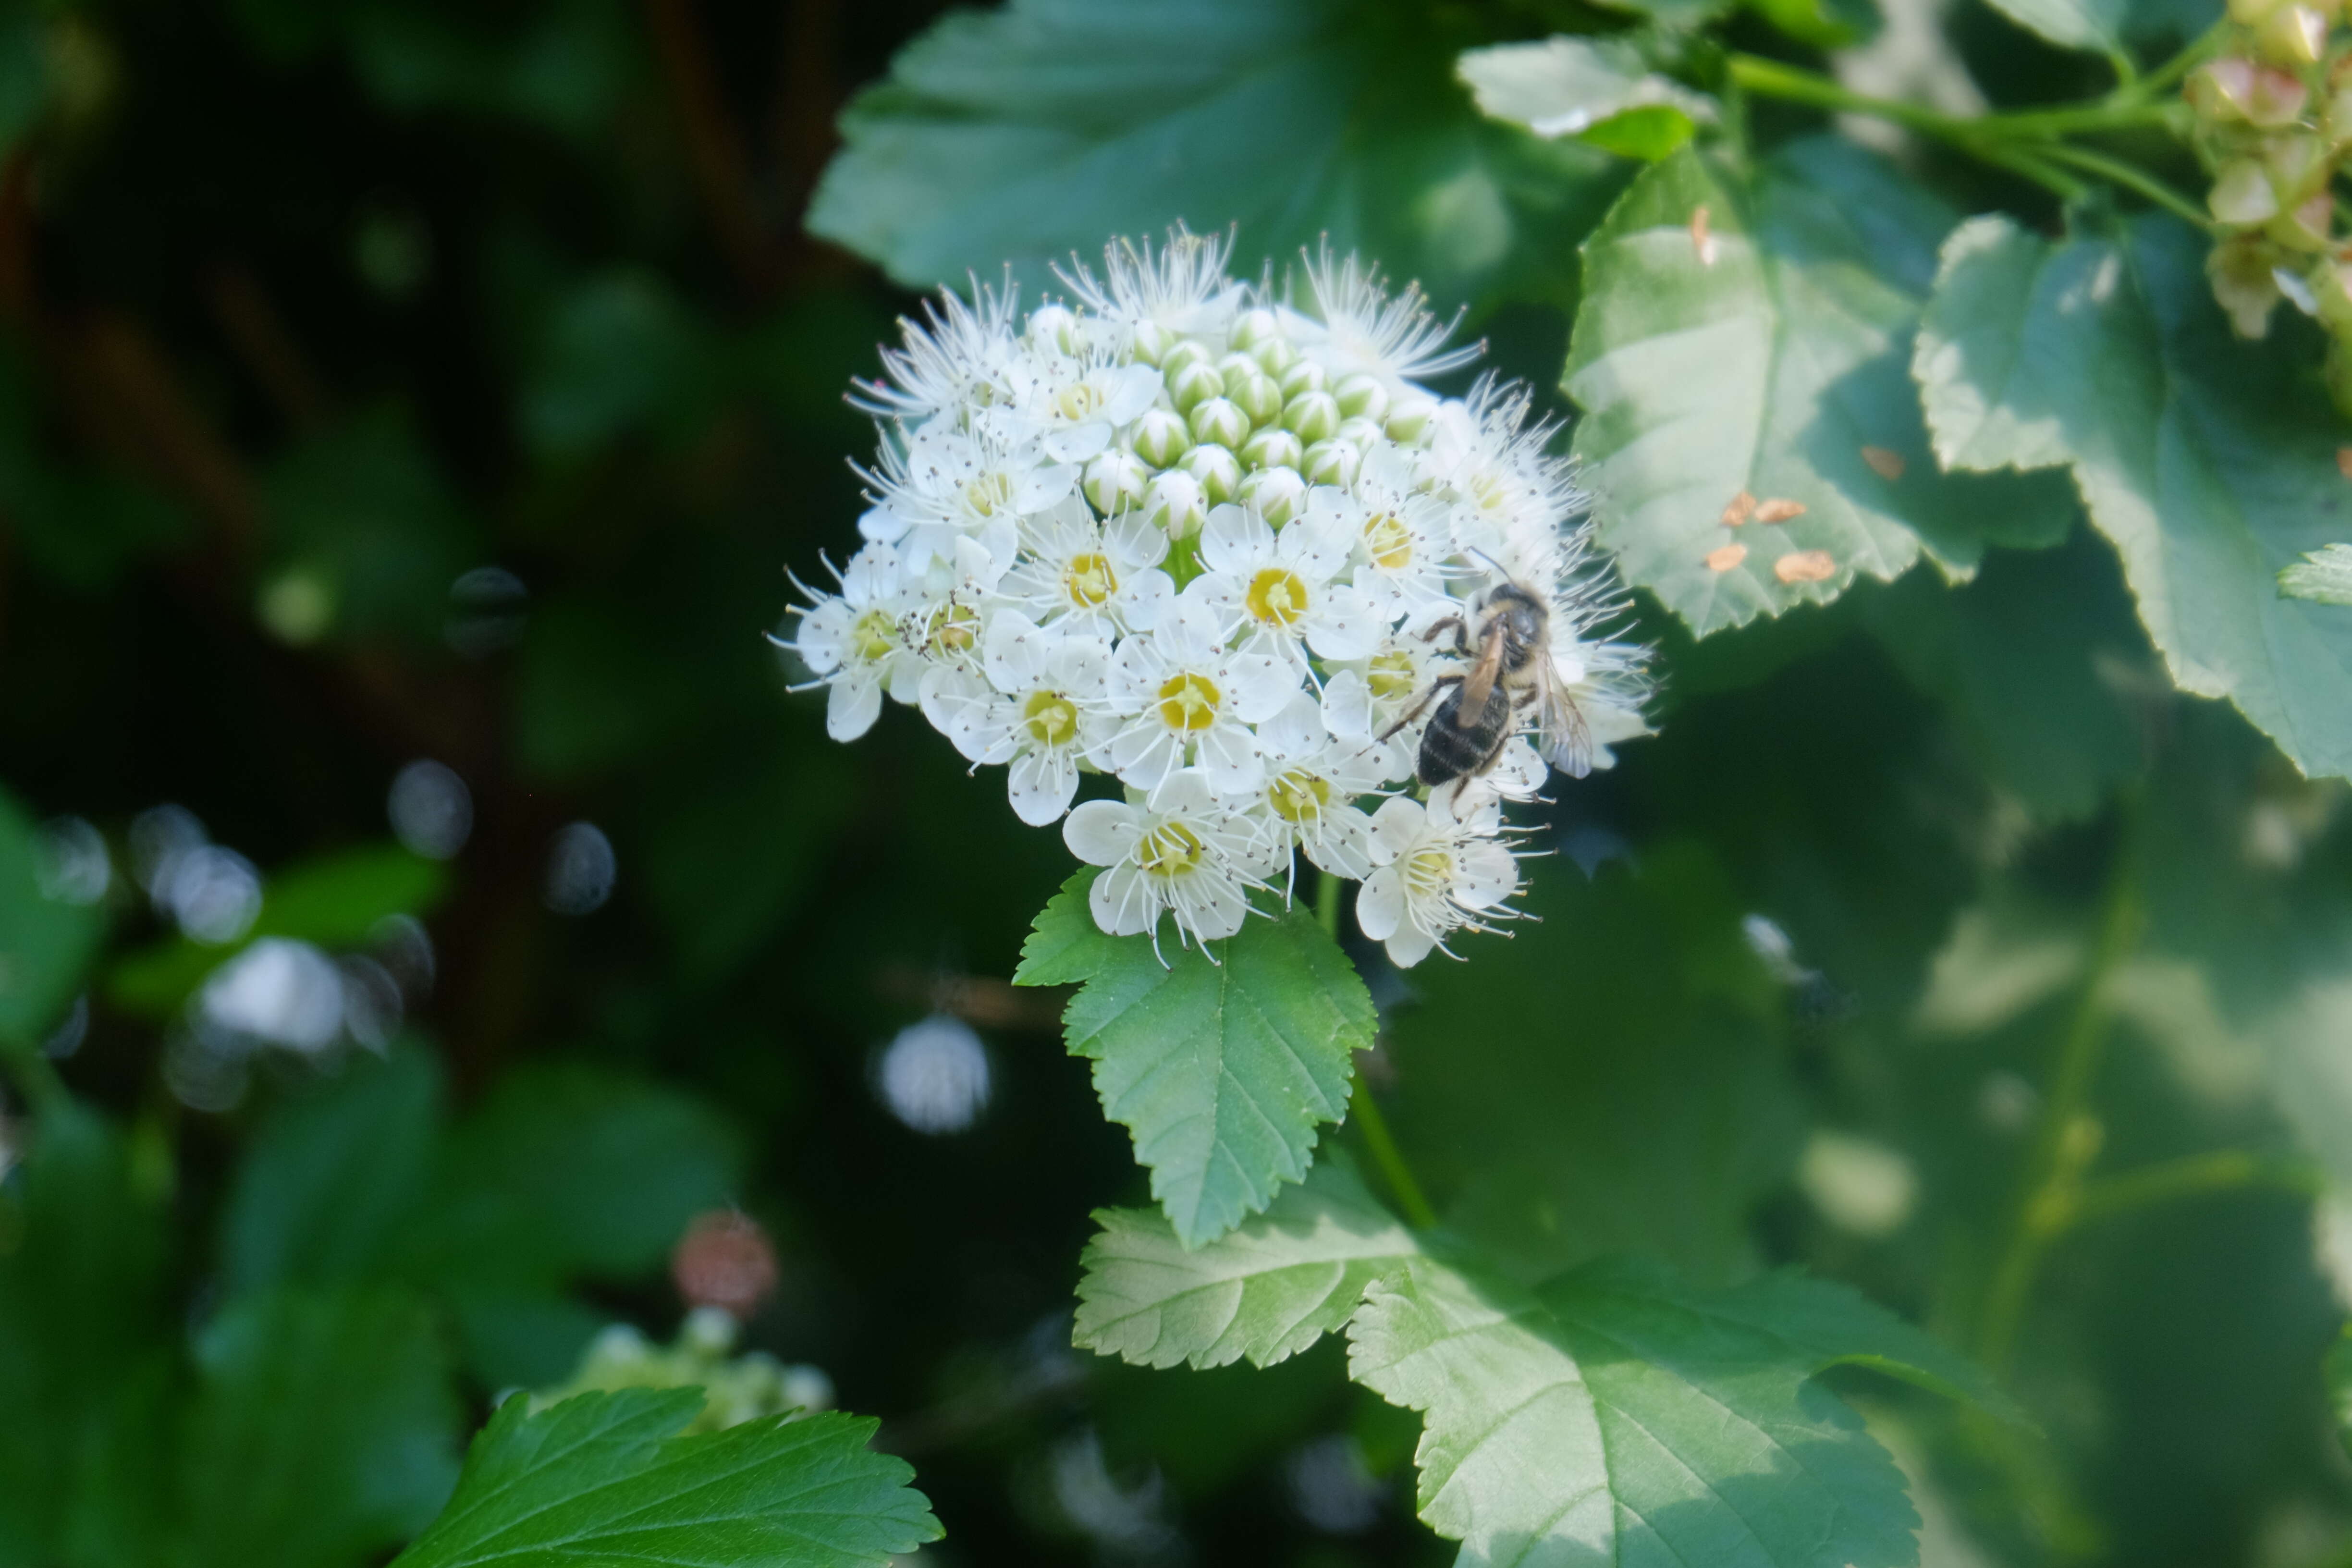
[1264,1289]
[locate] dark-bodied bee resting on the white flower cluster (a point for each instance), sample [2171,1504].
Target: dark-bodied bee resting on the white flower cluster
[1506,681]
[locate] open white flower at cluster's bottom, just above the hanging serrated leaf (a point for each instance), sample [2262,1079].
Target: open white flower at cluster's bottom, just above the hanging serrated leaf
[1182,852]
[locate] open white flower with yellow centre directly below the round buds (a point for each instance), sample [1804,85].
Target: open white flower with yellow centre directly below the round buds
[1274,591]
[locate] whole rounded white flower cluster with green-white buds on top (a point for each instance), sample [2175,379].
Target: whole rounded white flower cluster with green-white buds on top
[1217,542]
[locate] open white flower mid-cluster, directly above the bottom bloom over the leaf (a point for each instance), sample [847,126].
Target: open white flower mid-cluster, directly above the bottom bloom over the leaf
[1191,699]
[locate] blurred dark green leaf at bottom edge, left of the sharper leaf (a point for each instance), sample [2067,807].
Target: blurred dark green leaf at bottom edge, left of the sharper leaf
[323,1430]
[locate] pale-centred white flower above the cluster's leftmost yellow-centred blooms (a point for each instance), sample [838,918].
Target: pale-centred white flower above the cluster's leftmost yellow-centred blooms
[944,485]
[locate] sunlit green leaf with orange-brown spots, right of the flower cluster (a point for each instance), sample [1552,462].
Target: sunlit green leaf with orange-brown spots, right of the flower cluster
[1768,361]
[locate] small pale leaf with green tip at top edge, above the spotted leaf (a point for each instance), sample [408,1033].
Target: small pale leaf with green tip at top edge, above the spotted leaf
[1591,88]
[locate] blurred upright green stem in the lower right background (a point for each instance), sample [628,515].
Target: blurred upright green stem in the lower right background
[2066,1139]
